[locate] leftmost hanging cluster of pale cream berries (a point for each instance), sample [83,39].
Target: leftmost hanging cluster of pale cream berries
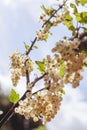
[19,65]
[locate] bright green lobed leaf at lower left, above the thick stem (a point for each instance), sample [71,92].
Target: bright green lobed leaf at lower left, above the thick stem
[14,97]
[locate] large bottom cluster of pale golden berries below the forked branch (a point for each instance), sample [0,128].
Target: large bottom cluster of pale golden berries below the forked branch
[43,105]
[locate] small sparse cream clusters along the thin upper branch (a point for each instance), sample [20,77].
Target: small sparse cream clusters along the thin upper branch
[54,21]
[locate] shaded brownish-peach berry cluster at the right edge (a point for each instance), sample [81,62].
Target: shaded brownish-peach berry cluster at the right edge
[68,51]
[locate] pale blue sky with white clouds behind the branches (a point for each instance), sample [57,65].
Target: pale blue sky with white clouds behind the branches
[18,24]
